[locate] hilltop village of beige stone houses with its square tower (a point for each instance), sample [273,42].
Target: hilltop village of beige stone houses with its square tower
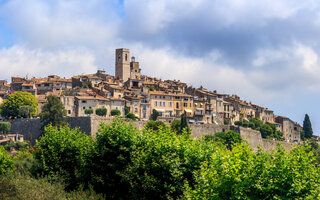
[130,91]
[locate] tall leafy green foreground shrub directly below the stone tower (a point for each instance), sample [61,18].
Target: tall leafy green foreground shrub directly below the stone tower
[110,158]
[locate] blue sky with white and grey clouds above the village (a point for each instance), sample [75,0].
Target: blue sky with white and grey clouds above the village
[266,51]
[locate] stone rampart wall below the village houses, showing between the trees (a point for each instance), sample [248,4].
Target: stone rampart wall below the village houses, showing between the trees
[30,128]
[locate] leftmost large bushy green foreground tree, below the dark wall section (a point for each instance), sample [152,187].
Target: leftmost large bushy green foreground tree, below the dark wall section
[62,151]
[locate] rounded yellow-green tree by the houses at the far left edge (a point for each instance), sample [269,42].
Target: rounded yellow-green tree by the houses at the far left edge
[11,106]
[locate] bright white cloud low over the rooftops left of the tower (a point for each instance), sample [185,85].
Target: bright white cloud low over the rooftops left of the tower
[20,61]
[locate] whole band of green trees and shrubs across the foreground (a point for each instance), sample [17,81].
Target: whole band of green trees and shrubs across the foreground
[123,162]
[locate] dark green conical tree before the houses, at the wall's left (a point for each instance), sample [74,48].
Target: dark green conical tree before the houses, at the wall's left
[53,112]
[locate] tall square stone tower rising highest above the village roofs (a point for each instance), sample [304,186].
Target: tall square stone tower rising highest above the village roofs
[123,64]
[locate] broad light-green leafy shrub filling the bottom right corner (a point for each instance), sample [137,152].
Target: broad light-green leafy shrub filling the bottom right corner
[243,174]
